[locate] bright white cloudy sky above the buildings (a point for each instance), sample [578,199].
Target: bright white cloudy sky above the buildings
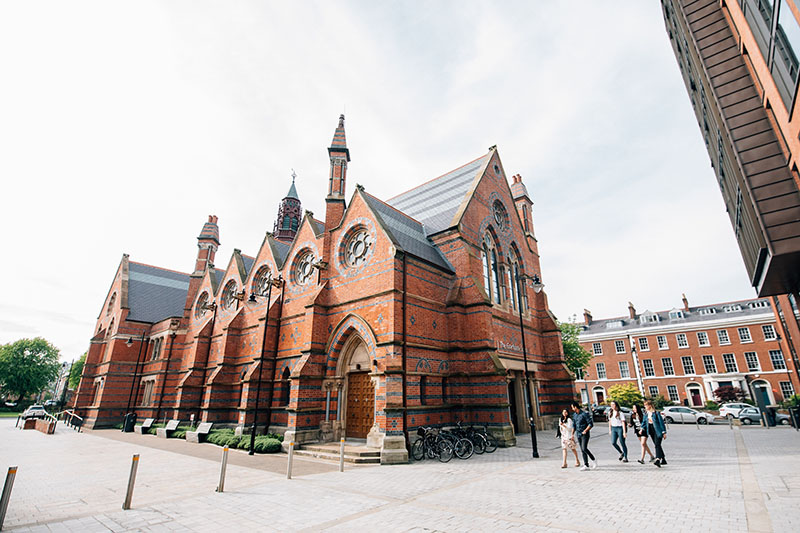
[123,125]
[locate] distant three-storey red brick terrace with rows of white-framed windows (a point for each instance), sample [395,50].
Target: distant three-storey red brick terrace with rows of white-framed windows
[685,353]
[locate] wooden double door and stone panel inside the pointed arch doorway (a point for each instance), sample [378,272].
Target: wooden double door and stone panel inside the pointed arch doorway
[359,408]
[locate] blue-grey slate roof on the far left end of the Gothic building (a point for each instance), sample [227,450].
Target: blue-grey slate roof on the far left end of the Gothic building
[155,293]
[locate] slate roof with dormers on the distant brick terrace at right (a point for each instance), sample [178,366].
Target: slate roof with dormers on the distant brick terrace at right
[695,315]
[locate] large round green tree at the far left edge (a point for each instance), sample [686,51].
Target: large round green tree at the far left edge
[27,366]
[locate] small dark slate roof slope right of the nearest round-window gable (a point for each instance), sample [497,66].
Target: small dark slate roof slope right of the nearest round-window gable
[407,233]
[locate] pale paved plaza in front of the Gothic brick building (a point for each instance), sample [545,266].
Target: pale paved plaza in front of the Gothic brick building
[717,479]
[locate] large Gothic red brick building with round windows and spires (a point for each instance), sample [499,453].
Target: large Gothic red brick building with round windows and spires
[384,317]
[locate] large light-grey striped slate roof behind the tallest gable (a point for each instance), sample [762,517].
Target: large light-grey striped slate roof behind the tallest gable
[436,202]
